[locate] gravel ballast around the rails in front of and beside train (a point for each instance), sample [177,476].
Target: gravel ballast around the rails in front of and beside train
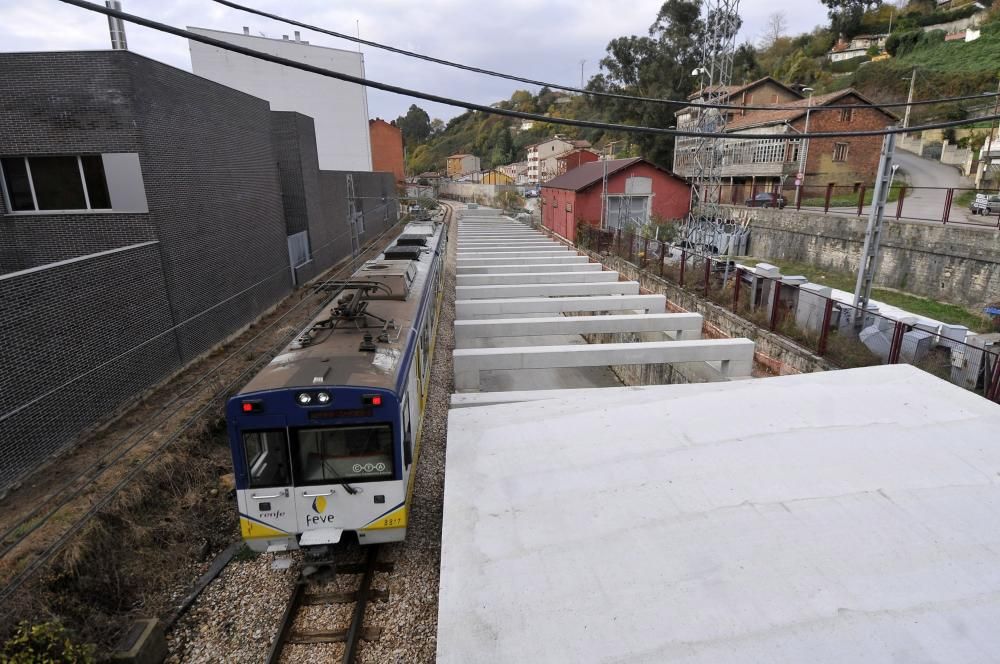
[236,618]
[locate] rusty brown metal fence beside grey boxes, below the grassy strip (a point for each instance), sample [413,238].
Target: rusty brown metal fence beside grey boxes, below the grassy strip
[804,313]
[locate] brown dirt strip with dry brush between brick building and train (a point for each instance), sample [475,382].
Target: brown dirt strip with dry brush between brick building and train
[152,537]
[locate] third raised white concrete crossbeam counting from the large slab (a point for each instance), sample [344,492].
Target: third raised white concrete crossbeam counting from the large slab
[466,309]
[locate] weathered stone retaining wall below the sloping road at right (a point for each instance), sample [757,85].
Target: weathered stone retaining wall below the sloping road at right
[944,262]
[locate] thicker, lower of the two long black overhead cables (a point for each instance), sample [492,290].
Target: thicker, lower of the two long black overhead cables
[449,101]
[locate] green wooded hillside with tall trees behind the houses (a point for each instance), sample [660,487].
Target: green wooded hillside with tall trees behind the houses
[659,64]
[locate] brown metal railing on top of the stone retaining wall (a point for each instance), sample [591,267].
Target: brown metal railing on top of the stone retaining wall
[926,204]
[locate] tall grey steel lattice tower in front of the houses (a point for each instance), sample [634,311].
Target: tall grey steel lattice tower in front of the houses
[707,218]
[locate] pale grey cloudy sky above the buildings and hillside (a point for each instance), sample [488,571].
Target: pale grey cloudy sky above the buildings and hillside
[543,39]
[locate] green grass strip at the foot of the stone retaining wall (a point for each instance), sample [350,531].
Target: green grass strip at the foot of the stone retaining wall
[947,313]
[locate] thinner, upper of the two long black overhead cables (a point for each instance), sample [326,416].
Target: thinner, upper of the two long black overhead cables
[568,88]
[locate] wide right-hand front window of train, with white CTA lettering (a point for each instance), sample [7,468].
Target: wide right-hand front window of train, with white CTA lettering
[344,454]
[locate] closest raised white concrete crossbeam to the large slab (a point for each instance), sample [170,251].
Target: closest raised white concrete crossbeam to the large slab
[735,356]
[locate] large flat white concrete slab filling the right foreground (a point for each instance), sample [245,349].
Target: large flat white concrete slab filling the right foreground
[858,524]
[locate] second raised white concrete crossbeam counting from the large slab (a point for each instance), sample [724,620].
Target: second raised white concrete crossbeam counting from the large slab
[688,326]
